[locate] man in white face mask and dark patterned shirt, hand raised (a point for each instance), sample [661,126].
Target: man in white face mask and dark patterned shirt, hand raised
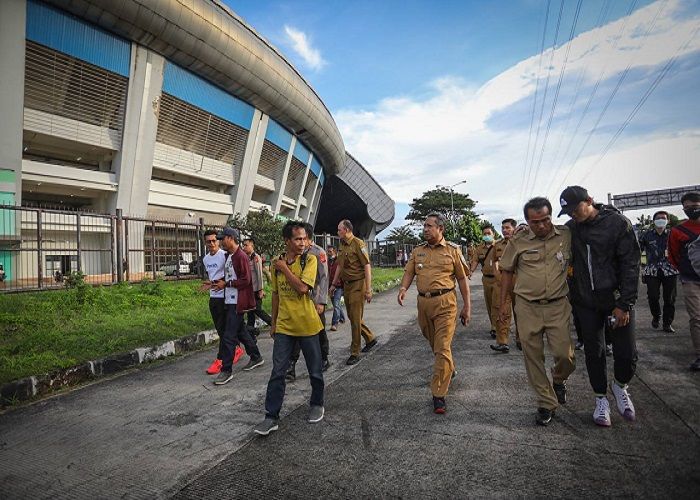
[659,273]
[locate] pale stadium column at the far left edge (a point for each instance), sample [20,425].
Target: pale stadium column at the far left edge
[13,22]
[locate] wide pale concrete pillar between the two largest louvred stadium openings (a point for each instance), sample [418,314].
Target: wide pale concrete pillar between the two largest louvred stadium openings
[133,164]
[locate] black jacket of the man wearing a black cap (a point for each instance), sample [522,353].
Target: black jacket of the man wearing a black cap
[605,258]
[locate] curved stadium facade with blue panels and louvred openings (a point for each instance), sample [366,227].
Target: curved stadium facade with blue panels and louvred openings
[167,109]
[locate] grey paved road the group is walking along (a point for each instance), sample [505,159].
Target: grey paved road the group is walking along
[164,431]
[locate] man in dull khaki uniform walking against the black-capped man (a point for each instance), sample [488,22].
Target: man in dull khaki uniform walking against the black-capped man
[541,256]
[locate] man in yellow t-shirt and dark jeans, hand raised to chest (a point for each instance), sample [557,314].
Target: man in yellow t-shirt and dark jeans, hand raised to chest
[294,320]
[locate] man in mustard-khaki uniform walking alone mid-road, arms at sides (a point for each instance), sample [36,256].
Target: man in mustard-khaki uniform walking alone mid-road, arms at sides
[436,264]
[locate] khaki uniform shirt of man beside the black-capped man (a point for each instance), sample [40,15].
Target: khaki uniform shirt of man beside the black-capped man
[541,264]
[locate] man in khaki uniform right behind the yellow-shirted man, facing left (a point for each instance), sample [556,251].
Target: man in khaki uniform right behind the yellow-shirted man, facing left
[355,271]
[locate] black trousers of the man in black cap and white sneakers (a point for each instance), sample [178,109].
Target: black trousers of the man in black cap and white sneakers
[592,323]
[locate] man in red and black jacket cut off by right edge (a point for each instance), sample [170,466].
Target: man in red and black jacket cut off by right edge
[684,254]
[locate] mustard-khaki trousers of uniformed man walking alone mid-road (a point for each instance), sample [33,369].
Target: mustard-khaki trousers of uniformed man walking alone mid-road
[437,320]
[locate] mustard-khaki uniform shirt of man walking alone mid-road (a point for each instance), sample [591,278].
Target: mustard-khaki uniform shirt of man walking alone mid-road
[435,267]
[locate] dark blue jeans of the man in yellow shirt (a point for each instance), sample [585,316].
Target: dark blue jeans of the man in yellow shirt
[281,356]
